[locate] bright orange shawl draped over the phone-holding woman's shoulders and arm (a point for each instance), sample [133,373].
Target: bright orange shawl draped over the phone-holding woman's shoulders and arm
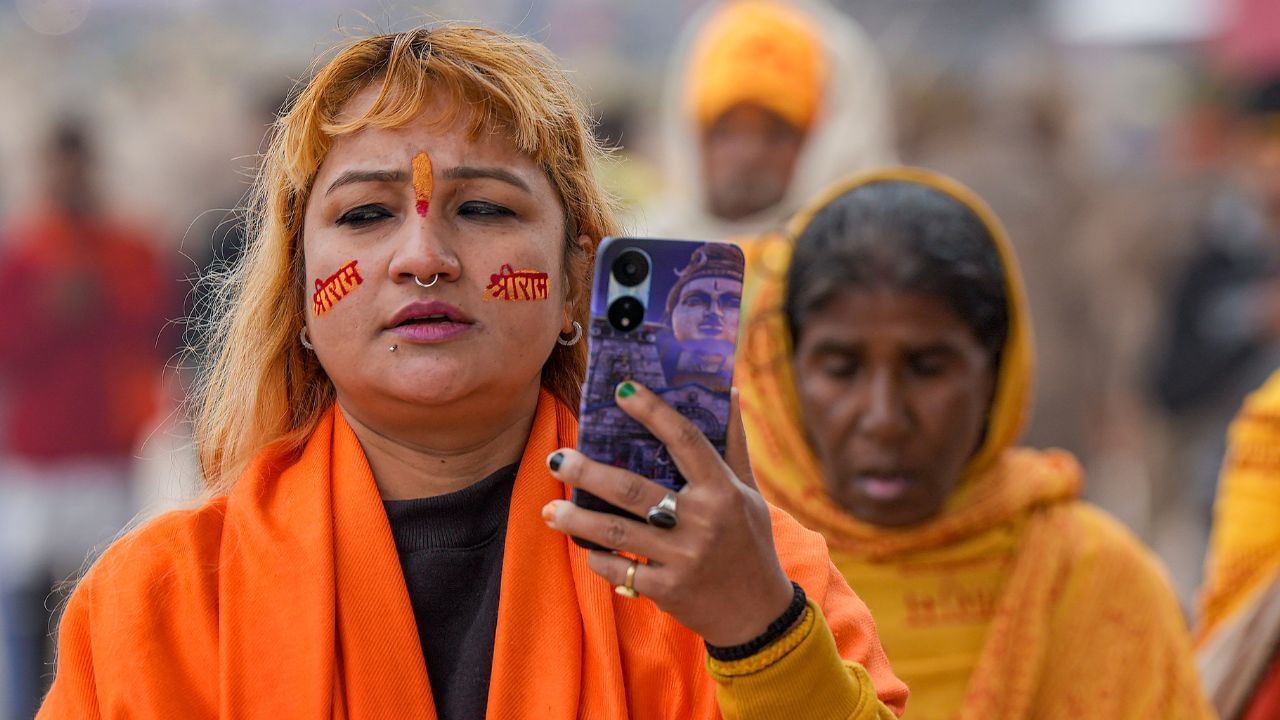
[286,599]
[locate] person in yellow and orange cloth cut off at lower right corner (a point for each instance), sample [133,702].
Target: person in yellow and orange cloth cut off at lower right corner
[1238,630]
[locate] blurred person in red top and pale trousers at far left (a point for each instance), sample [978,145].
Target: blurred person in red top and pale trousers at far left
[85,299]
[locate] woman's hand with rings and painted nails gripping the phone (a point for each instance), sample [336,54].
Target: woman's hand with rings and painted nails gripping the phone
[716,572]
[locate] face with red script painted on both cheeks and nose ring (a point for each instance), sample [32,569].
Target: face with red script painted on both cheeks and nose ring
[491,207]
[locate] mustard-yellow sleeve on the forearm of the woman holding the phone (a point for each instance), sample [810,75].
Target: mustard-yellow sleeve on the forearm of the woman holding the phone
[799,675]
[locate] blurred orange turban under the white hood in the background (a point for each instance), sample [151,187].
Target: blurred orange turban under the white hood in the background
[761,53]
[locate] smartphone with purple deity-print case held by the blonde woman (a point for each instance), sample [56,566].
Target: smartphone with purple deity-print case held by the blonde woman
[665,313]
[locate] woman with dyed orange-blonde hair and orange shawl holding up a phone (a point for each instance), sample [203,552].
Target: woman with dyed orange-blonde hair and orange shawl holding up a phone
[386,431]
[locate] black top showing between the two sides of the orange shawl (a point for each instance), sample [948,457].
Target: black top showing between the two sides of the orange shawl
[451,552]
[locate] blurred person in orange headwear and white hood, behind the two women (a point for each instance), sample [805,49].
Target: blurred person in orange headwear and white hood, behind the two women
[766,103]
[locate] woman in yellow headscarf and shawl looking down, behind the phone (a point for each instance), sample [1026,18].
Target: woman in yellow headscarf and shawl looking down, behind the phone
[885,380]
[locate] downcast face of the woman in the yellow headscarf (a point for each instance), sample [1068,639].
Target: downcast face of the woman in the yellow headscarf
[895,390]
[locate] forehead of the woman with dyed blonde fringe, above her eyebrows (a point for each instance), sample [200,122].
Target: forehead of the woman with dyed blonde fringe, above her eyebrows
[447,143]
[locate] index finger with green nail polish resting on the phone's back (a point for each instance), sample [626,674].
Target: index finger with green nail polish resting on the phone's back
[694,455]
